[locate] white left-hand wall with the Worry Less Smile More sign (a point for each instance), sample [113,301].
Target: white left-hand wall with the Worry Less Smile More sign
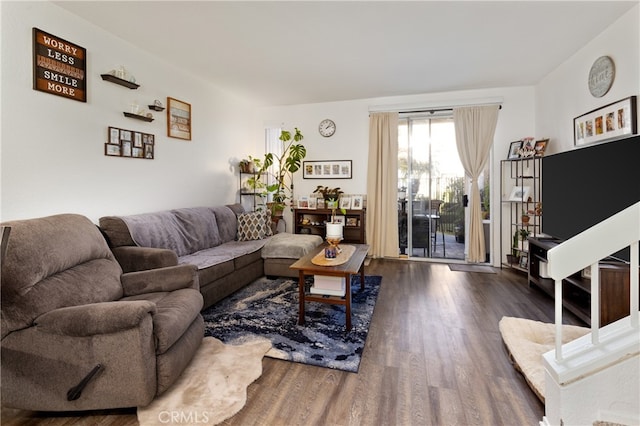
[52,148]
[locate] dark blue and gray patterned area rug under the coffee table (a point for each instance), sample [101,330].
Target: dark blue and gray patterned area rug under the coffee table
[268,308]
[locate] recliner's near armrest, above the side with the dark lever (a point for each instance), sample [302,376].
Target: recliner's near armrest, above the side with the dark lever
[95,318]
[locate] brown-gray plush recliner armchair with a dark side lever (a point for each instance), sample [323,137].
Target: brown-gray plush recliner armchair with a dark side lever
[77,333]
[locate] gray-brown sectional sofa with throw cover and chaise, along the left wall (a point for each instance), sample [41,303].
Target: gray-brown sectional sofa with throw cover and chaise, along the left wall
[208,238]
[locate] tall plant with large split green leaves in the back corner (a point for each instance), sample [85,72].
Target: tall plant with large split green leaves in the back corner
[286,164]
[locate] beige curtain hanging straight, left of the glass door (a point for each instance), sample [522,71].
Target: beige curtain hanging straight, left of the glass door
[382,185]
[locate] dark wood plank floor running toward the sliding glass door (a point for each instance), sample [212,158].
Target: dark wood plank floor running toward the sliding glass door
[434,356]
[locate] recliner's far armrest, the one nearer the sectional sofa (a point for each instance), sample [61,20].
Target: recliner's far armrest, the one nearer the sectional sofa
[161,279]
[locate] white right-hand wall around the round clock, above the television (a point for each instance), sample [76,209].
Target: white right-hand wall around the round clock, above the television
[564,93]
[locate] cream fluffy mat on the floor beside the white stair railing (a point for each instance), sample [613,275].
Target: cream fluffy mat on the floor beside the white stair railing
[527,340]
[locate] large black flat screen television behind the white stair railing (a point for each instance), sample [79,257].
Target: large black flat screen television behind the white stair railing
[584,186]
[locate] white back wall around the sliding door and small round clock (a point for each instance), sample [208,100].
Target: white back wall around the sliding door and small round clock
[350,142]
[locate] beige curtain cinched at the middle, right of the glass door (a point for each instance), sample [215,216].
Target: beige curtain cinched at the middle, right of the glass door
[475,127]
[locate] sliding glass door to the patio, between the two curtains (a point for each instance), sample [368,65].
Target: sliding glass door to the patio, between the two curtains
[431,181]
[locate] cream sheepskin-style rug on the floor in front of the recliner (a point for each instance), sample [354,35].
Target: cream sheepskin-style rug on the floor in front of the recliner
[212,388]
